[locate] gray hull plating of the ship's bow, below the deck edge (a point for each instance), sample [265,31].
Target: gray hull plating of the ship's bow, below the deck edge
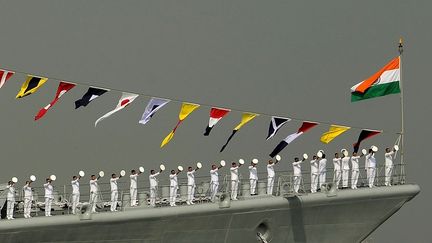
[350,216]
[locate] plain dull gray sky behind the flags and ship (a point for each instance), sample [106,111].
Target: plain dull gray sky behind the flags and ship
[294,59]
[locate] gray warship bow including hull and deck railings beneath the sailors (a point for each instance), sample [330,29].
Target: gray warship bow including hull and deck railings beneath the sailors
[330,215]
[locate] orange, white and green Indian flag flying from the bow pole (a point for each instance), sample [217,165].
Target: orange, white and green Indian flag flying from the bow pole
[384,82]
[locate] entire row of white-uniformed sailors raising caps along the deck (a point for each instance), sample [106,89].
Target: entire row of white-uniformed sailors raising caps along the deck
[318,177]
